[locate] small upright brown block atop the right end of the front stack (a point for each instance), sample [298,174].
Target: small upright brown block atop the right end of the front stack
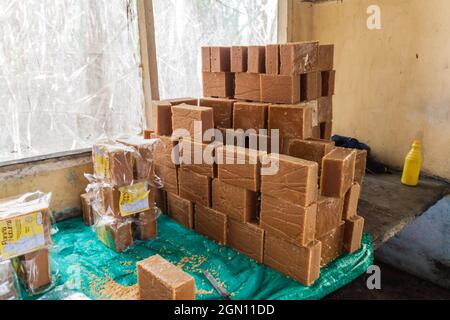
[338,171]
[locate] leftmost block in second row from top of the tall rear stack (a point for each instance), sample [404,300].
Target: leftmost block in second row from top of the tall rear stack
[218,84]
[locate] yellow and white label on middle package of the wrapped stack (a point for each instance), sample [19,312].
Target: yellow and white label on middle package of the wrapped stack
[134,199]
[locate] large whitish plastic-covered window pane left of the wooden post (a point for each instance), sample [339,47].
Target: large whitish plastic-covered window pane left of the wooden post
[69,73]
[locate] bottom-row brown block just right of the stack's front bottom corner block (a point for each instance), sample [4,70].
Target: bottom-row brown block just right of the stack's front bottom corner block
[332,244]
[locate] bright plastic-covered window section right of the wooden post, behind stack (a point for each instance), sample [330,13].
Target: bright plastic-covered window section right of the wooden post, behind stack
[183,26]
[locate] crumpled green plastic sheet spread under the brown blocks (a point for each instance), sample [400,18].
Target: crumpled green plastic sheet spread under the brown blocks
[85,264]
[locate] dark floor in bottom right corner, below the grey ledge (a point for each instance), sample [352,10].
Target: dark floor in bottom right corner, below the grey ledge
[395,285]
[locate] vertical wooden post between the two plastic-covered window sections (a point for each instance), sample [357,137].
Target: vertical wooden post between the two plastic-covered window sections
[148,56]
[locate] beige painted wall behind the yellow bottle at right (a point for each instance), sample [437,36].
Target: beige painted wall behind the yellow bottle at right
[393,84]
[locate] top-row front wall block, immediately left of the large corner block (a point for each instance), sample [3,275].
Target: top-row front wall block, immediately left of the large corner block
[239,167]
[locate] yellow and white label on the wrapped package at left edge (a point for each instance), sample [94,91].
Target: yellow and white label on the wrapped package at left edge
[20,235]
